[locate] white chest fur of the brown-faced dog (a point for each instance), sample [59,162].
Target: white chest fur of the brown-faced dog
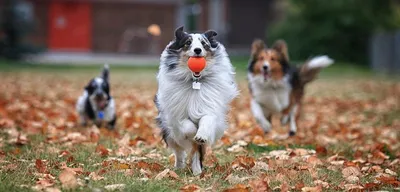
[272,95]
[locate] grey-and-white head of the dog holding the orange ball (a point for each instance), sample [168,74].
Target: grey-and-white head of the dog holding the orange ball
[194,44]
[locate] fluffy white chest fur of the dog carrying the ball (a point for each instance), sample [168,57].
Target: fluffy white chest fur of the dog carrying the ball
[181,101]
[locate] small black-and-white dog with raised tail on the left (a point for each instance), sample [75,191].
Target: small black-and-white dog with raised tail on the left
[96,103]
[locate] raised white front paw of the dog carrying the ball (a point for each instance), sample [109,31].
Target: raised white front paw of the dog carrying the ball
[206,132]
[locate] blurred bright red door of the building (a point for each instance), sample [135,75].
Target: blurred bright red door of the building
[70,26]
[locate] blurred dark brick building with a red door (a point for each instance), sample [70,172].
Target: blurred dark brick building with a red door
[120,26]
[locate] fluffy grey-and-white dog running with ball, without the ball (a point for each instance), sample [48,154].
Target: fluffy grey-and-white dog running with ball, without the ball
[193,116]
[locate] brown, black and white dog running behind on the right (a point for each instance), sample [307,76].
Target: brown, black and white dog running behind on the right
[278,87]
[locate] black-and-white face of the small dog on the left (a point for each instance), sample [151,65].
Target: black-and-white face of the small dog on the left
[99,92]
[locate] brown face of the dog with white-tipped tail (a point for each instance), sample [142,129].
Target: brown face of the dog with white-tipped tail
[271,63]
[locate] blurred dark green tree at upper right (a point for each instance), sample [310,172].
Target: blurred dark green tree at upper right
[339,28]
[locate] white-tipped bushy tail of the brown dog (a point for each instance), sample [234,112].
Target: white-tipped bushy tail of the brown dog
[310,70]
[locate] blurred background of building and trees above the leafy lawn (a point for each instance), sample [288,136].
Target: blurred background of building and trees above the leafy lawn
[360,32]
